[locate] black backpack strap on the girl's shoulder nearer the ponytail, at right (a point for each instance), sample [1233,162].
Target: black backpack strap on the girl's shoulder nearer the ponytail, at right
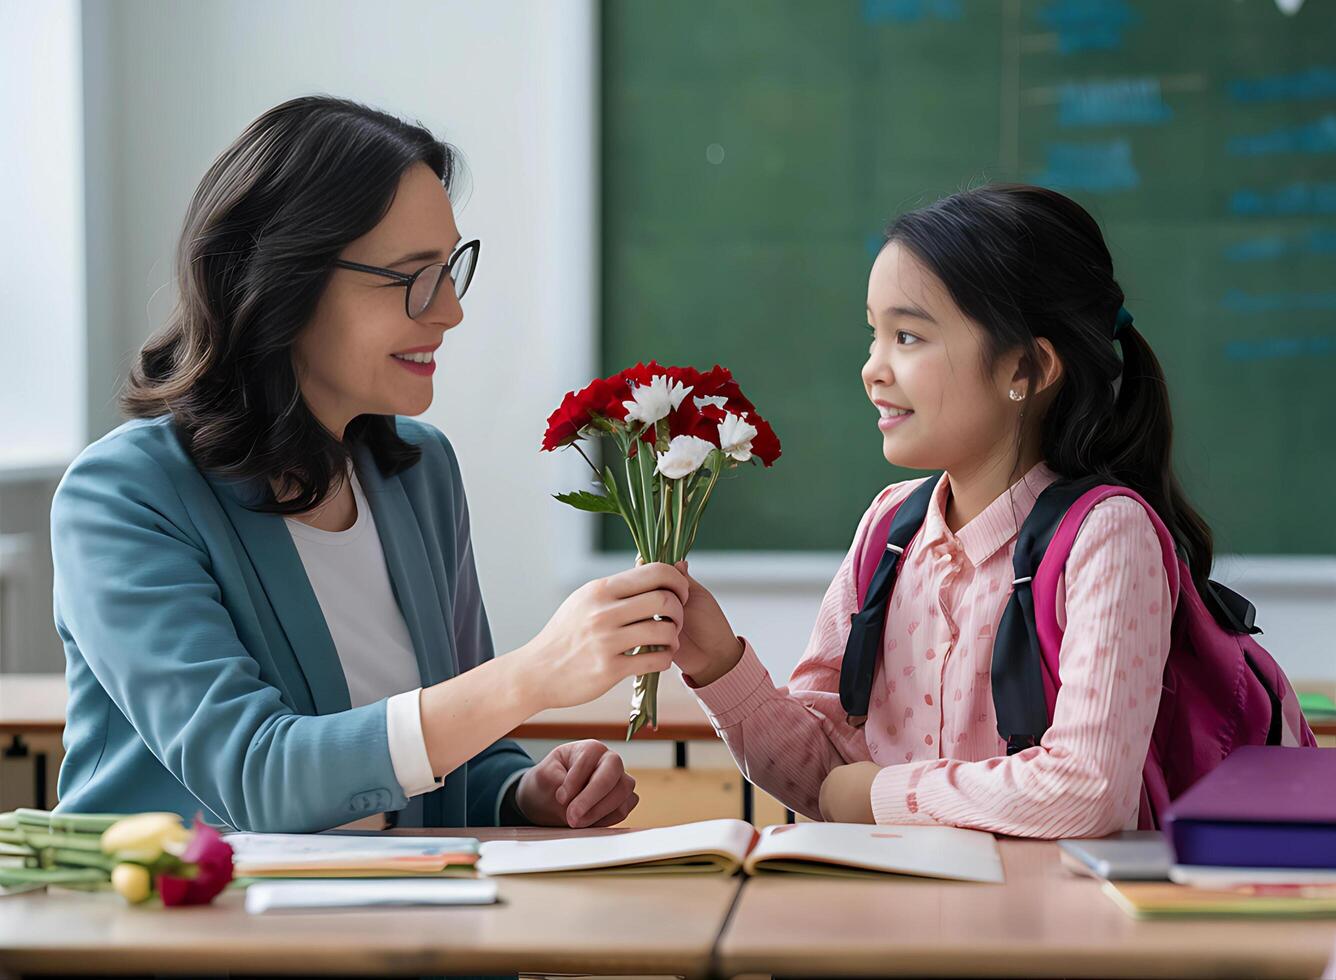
[1019,700]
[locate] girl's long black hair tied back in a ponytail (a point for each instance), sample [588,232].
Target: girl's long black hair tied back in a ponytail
[1027,262]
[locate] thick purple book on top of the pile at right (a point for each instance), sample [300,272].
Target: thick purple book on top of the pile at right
[1265,807]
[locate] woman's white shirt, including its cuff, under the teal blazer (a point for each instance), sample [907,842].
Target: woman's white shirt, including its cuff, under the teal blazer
[353,587]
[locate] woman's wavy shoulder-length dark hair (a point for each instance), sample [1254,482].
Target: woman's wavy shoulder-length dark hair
[267,224]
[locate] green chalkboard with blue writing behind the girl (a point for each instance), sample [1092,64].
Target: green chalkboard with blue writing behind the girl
[754,152]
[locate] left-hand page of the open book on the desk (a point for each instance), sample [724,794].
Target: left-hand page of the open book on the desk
[726,838]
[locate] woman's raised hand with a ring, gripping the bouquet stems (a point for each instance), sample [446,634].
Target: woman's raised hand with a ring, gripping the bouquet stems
[580,654]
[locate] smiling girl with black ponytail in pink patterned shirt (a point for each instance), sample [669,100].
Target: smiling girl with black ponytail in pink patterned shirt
[997,328]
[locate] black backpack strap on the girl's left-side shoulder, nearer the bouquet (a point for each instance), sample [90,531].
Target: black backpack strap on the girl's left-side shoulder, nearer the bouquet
[868,627]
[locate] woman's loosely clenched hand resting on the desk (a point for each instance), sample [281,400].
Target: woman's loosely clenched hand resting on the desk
[579,784]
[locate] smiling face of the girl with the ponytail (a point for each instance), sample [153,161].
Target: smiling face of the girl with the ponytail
[940,407]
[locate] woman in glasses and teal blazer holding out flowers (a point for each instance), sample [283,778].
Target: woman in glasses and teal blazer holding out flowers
[265,581]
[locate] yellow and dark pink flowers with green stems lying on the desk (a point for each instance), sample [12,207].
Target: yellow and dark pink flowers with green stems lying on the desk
[137,856]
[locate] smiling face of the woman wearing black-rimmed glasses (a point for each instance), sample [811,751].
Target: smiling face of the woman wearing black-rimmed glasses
[349,357]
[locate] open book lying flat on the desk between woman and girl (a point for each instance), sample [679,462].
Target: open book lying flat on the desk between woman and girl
[726,846]
